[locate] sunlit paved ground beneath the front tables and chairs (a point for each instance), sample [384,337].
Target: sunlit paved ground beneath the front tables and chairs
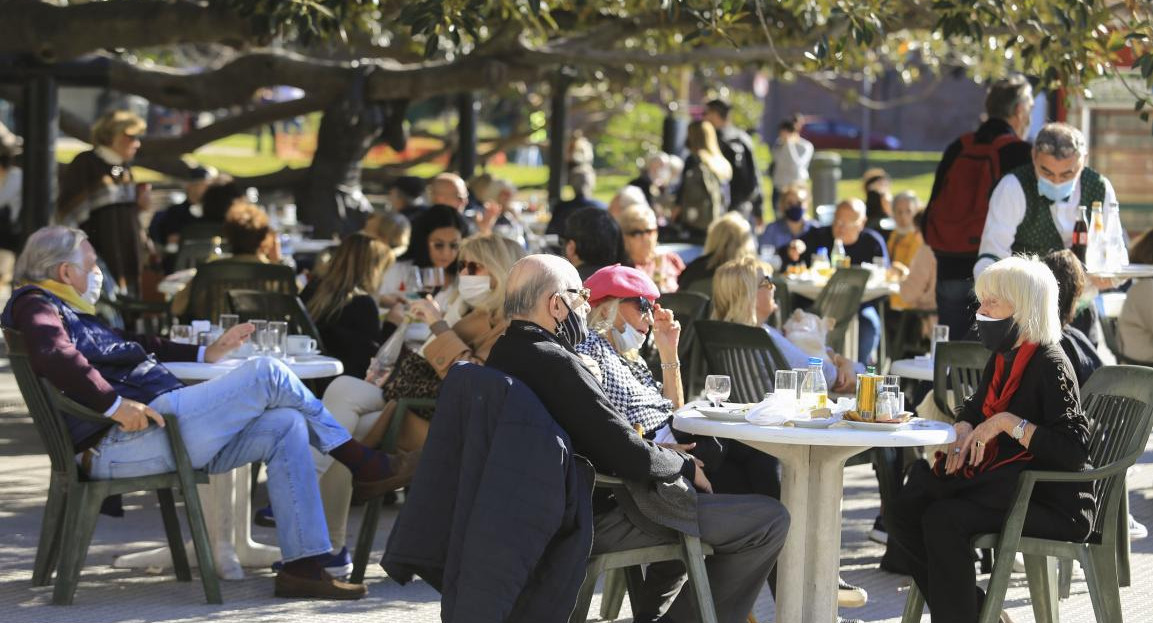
[108,596]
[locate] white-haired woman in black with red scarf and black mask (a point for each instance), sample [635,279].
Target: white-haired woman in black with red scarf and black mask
[1026,416]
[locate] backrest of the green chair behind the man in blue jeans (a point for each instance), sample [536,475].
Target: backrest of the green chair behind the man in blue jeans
[50,425]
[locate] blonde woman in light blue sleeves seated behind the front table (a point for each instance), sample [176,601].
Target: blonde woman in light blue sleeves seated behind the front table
[743,294]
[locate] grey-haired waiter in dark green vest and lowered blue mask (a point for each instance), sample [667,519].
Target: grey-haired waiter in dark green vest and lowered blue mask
[1035,207]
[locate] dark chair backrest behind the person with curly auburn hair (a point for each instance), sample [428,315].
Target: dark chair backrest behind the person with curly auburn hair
[209,291]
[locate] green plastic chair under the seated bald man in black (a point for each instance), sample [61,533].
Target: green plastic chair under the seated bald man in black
[689,551]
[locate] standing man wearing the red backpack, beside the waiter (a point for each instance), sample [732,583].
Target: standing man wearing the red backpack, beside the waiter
[1008,107]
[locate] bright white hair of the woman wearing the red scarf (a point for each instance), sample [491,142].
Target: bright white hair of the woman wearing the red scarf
[1029,287]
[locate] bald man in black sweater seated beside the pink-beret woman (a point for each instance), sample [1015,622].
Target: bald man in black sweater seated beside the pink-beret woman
[548,307]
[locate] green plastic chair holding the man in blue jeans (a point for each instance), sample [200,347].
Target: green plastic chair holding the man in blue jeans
[74,501]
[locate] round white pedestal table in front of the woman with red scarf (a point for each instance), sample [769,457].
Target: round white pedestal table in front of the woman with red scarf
[812,485]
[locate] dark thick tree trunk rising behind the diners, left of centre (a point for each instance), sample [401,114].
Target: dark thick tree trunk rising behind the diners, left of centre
[331,199]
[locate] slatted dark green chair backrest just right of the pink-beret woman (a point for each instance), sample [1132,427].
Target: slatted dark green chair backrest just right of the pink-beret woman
[747,355]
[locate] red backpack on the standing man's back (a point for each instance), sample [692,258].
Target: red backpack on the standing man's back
[955,220]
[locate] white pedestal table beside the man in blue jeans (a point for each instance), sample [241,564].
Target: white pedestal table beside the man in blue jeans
[227,499]
